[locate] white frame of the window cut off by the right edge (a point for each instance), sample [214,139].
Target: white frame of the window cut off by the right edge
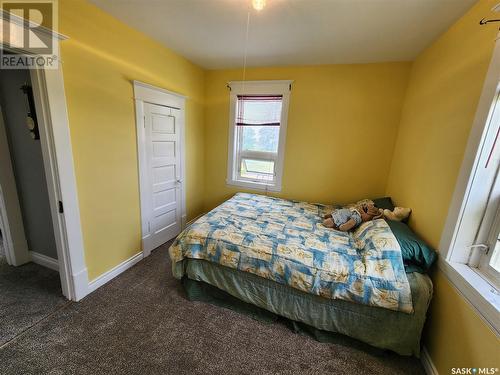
[470,218]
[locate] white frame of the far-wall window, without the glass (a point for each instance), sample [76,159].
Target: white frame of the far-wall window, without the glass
[281,88]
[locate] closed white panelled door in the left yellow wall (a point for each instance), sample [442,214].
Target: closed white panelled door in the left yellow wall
[163,175]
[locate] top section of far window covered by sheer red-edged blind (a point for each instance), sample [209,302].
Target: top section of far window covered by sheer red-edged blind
[259,110]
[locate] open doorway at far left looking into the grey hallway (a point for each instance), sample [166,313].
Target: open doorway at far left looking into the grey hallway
[30,285]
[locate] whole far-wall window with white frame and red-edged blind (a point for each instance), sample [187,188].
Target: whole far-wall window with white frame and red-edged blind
[258,117]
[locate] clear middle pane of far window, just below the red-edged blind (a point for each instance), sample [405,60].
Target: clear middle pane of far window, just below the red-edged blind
[260,138]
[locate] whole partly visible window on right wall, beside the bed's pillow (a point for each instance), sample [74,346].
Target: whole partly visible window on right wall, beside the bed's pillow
[470,245]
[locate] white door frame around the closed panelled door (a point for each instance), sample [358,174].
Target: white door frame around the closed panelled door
[146,93]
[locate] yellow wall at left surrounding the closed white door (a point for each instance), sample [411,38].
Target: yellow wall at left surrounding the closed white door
[100,59]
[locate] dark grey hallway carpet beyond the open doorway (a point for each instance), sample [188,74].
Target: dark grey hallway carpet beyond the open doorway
[28,294]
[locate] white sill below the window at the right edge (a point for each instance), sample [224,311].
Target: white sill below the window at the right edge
[476,290]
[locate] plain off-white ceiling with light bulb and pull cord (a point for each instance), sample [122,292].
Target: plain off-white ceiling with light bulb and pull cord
[212,33]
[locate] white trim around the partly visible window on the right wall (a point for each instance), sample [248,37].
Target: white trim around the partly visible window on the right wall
[454,253]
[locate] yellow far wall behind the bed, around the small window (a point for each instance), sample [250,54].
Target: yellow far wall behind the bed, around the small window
[342,126]
